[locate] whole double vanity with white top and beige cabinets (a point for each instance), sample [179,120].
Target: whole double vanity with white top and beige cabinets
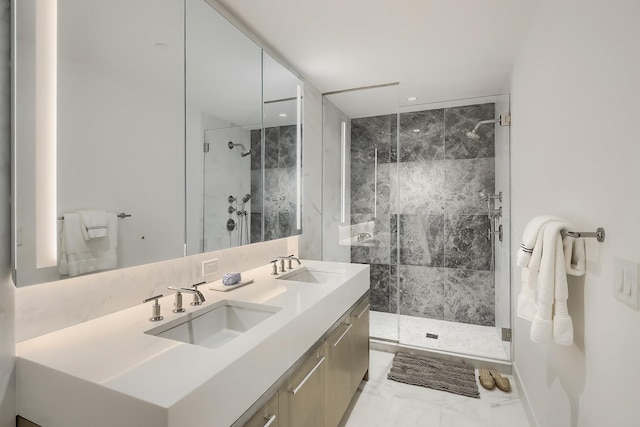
[273,352]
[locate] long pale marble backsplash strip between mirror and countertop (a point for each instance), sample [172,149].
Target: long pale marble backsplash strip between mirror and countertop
[44,308]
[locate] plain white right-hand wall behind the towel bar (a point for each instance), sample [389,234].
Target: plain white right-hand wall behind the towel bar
[575,151]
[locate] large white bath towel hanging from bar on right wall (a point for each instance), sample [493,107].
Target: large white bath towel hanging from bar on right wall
[544,291]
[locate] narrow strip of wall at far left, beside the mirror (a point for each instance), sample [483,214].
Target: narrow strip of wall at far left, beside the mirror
[7,347]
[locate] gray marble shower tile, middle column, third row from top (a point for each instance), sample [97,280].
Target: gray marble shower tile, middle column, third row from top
[421,240]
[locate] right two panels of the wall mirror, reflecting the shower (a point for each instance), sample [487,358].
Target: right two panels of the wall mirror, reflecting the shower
[244,137]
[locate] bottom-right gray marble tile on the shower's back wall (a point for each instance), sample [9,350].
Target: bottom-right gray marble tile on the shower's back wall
[469,297]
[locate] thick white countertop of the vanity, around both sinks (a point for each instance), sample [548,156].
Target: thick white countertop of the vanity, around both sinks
[107,371]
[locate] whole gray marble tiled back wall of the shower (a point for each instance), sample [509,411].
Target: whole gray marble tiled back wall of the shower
[429,221]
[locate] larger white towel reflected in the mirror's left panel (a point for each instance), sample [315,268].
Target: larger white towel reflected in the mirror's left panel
[78,256]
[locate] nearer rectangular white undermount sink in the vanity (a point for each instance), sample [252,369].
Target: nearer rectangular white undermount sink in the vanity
[216,325]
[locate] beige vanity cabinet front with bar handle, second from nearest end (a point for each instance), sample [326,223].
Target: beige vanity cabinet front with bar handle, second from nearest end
[302,402]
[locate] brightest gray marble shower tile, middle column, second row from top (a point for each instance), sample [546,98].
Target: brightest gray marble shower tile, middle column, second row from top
[418,187]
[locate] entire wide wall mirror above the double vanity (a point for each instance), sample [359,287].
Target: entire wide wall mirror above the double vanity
[132,131]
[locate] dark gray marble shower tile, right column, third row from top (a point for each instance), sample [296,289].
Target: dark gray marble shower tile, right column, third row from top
[466,242]
